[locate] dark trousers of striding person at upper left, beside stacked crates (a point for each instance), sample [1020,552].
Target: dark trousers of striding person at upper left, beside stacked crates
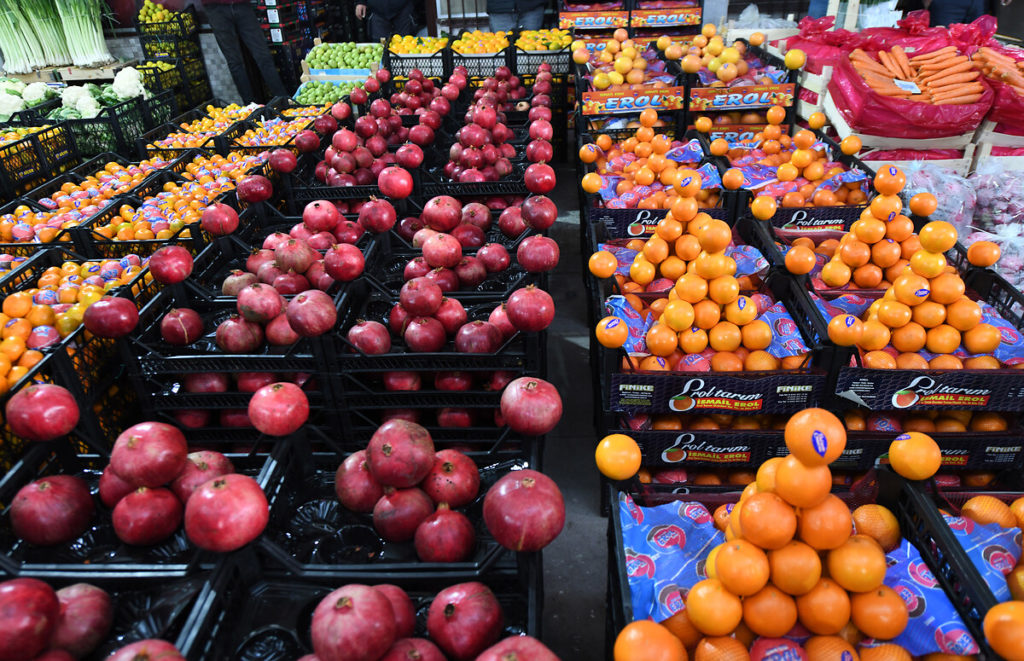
[235,25]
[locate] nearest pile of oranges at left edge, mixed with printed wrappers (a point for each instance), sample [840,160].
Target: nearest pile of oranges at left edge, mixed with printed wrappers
[36,319]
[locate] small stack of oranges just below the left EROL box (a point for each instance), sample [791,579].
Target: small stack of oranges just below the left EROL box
[649,178]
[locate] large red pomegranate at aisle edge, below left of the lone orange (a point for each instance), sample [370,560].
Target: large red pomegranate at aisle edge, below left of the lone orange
[525,511]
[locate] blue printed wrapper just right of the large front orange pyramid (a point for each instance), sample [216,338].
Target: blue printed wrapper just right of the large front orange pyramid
[934,625]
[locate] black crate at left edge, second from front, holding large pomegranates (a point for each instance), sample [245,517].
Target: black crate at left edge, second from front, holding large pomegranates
[99,552]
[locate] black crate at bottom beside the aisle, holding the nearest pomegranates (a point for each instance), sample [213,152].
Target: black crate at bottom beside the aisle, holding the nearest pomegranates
[250,615]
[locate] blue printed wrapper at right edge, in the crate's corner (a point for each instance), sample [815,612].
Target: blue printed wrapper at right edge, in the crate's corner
[994,550]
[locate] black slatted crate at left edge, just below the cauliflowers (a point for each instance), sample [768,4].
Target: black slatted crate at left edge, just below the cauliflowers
[36,158]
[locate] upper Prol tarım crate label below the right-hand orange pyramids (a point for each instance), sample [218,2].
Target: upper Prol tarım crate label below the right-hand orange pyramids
[909,389]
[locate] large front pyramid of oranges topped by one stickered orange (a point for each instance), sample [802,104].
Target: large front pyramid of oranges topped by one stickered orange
[790,557]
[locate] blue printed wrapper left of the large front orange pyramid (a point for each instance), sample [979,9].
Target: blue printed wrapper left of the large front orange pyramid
[666,550]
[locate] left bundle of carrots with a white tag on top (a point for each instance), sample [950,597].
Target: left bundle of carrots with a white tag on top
[943,77]
